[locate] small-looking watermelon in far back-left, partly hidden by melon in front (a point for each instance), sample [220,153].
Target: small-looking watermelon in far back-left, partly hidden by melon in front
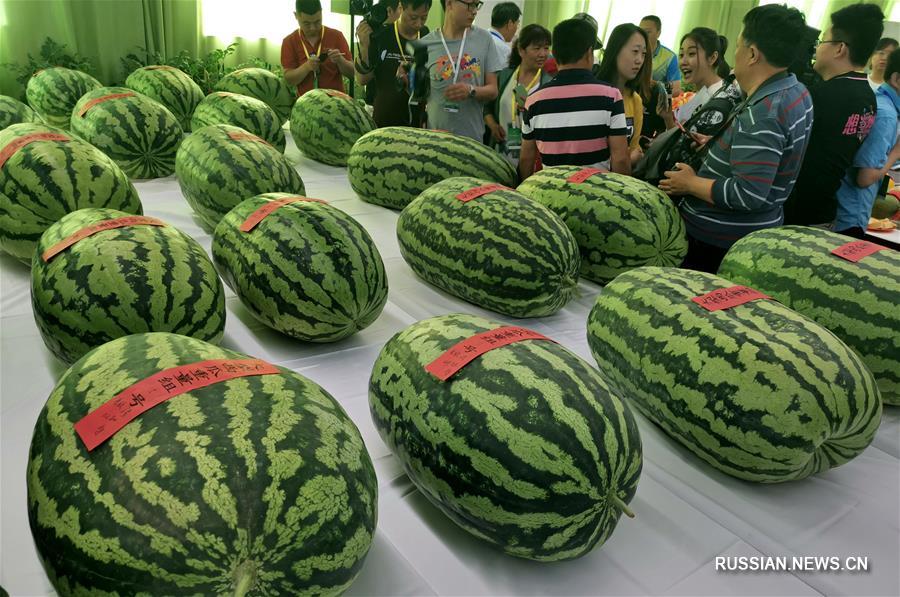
[53,93]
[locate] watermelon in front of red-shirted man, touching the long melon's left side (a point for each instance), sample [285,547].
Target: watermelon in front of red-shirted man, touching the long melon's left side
[326,123]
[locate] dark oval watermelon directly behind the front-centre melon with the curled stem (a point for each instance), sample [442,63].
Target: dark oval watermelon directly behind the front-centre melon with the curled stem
[307,270]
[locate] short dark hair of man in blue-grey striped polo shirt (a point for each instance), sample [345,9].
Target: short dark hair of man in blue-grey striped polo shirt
[775,29]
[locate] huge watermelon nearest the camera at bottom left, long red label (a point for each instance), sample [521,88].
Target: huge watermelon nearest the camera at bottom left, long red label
[258,485]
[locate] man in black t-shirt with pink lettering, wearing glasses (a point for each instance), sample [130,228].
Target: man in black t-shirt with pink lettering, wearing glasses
[844,110]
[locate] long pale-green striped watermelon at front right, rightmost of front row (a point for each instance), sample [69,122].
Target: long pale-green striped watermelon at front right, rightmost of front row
[757,391]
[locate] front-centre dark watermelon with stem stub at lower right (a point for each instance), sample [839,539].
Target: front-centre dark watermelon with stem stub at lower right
[525,447]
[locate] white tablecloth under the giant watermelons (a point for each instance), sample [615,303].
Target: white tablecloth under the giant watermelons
[687,513]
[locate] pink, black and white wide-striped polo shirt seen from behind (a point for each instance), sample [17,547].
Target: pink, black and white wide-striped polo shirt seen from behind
[571,118]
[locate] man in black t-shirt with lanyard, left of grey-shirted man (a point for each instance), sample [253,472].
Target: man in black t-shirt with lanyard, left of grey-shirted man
[380,55]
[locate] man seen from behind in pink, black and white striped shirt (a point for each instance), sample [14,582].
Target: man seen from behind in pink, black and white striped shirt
[575,119]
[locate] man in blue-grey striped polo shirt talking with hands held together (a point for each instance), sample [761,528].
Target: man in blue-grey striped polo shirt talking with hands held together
[750,170]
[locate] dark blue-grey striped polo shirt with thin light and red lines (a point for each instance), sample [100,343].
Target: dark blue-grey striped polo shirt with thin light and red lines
[755,164]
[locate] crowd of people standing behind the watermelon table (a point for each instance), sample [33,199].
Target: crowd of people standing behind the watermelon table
[795,132]
